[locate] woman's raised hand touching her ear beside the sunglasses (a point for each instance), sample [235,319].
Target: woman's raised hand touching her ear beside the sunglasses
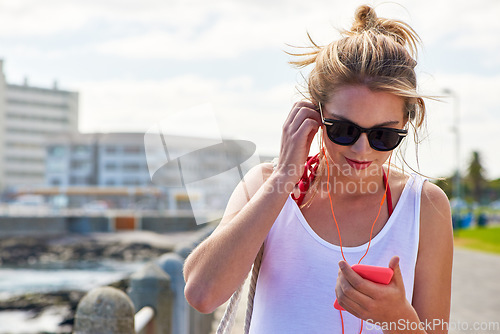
[299,129]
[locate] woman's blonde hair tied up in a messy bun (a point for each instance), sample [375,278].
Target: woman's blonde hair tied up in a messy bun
[378,53]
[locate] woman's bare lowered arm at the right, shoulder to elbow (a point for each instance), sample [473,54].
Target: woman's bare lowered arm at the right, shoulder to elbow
[432,288]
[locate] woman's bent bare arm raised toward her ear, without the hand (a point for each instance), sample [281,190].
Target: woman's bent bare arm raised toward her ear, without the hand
[216,268]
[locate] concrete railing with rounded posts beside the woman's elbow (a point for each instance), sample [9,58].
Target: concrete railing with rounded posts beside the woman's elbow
[155,302]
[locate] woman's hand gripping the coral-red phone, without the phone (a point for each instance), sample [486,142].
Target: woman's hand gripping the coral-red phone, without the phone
[371,301]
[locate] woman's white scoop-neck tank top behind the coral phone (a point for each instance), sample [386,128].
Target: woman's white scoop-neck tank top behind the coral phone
[296,284]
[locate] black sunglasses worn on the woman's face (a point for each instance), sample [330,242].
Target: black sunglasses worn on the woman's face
[347,133]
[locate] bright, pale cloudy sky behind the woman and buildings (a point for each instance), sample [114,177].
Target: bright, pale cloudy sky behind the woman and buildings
[136,63]
